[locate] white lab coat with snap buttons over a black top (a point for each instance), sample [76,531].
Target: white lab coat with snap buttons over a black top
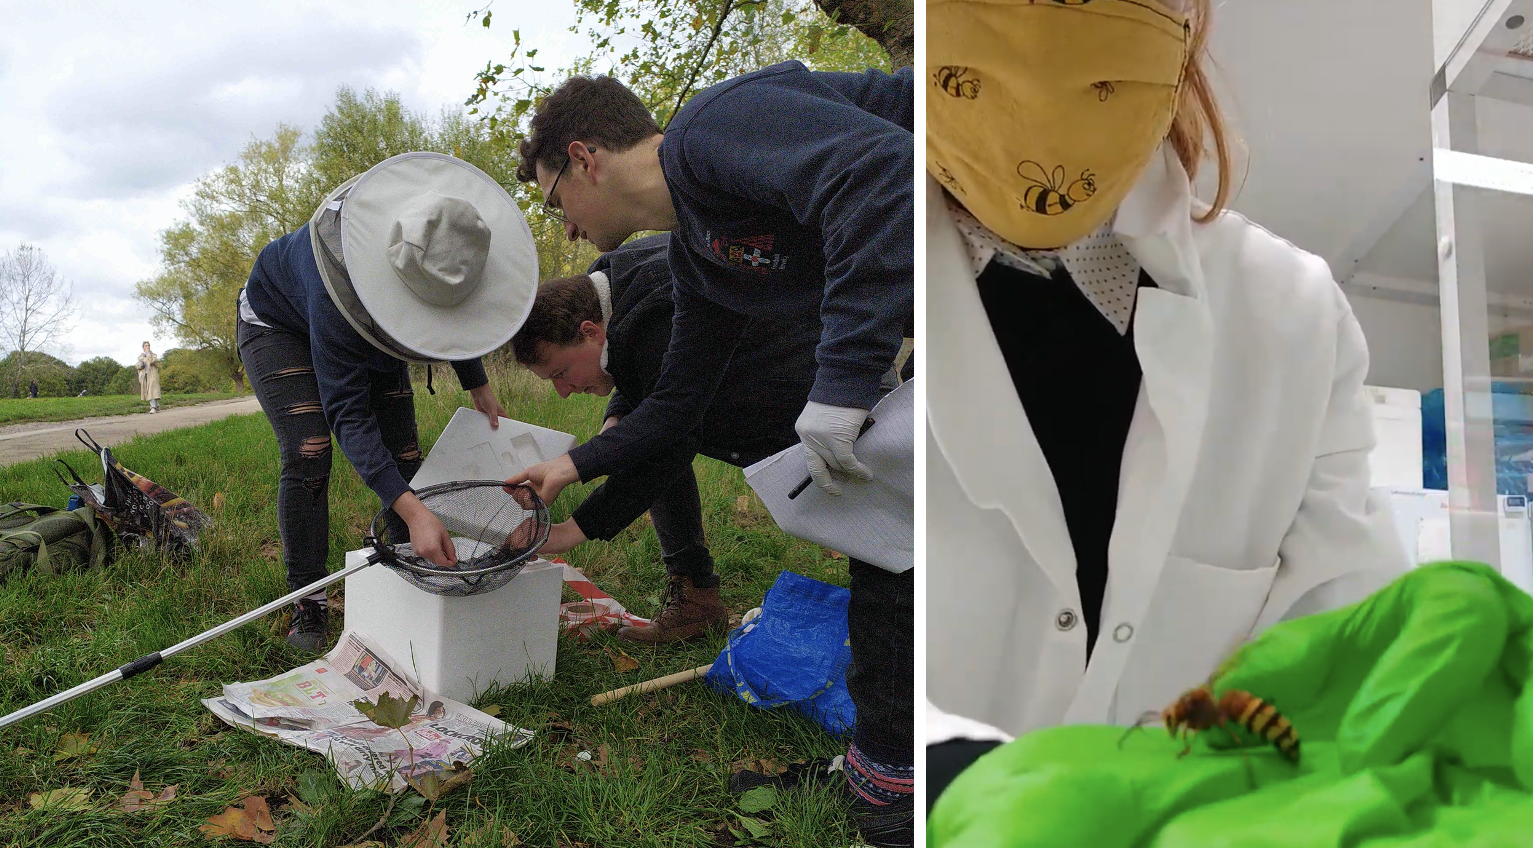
[1243,492]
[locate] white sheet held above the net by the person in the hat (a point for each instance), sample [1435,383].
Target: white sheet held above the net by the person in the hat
[470,450]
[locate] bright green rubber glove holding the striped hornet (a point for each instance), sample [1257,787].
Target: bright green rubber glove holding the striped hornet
[1414,714]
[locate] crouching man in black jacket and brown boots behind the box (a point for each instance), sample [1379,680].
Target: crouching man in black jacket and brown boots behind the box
[607,334]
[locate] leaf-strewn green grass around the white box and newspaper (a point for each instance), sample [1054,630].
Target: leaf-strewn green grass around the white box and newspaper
[671,751]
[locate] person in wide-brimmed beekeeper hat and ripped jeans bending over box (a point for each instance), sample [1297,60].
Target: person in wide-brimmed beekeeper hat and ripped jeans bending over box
[424,259]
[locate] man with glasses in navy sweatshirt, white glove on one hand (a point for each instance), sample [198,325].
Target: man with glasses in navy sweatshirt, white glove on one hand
[785,193]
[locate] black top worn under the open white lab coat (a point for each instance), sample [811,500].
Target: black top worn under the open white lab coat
[1078,380]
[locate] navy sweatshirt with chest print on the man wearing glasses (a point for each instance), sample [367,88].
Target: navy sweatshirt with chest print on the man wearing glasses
[794,191]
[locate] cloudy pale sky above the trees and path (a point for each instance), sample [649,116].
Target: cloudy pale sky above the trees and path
[111,111]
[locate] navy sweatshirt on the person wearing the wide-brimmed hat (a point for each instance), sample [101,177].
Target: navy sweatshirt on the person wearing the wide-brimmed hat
[288,292]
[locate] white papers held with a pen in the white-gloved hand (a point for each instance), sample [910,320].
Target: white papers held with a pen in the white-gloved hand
[871,521]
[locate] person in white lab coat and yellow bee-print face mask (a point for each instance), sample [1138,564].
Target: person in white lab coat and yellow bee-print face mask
[1148,432]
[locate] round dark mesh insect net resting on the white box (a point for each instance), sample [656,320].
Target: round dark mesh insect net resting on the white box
[495,533]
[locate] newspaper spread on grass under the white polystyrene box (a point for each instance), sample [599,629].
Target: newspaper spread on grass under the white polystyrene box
[312,708]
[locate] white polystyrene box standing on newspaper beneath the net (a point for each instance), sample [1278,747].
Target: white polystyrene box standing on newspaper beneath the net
[461,647]
